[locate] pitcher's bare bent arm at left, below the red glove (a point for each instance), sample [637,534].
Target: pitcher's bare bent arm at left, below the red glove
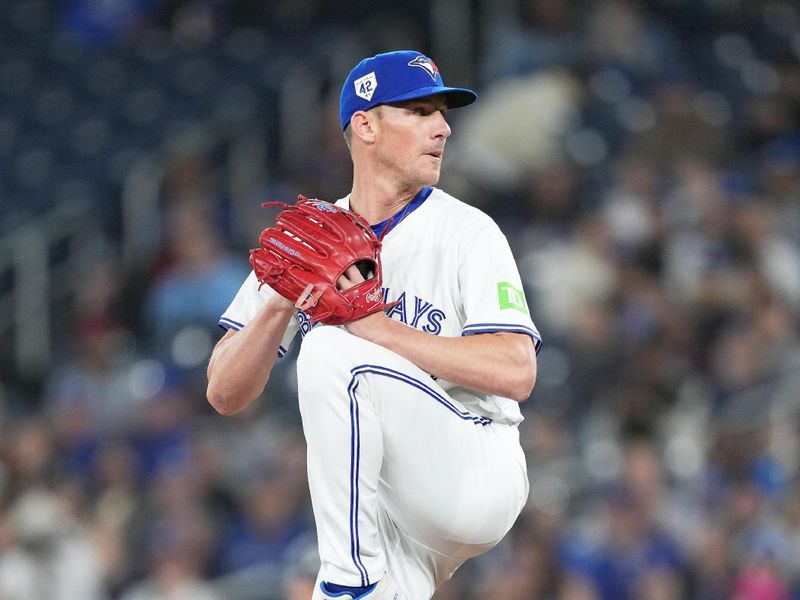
[242,361]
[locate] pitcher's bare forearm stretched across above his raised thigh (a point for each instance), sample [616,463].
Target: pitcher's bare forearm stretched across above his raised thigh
[494,363]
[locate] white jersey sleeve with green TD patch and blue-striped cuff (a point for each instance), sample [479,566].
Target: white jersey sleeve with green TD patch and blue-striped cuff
[492,293]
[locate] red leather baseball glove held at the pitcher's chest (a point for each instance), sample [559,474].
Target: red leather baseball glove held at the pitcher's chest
[310,247]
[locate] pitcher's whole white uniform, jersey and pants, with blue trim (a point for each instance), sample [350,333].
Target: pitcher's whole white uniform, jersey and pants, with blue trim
[410,476]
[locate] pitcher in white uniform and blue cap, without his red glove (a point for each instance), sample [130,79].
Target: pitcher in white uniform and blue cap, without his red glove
[410,413]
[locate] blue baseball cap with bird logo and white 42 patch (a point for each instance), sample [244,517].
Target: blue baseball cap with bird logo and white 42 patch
[394,77]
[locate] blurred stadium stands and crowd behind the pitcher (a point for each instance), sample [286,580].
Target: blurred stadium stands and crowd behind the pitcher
[644,160]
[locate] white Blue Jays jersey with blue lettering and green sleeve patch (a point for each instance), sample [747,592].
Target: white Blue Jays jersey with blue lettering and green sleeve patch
[452,273]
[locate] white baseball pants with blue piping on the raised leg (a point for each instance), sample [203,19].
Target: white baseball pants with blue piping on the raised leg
[403,478]
